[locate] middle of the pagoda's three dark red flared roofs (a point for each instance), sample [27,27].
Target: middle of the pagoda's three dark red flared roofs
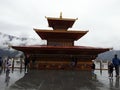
[58,34]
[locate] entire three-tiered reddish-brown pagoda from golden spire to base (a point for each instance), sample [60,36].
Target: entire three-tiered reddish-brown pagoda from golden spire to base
[60,53]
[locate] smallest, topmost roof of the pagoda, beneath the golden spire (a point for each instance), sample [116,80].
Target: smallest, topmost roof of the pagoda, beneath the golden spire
[60,23]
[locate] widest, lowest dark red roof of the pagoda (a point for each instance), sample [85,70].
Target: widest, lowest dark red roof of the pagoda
[68,50]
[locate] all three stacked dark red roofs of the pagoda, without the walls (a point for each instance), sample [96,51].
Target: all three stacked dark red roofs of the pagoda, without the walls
[60,27]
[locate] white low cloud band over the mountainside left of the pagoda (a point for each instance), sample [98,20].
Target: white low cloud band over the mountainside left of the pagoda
[8,40]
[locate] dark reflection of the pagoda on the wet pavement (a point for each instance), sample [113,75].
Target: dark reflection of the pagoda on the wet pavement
[57,80]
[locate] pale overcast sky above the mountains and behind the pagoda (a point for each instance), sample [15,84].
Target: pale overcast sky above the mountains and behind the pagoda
[100,17]
